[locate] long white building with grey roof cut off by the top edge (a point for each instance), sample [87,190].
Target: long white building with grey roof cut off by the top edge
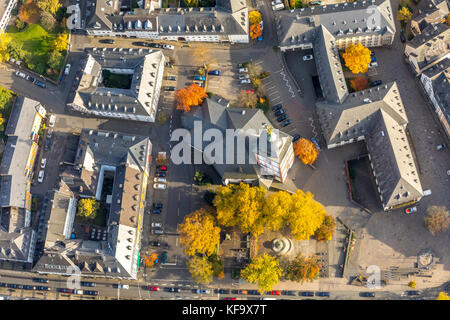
[226,22]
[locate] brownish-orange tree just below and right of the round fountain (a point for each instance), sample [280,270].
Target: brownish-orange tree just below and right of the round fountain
[301,269]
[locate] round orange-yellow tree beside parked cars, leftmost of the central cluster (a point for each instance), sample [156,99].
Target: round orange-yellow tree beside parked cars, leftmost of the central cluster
[199,233]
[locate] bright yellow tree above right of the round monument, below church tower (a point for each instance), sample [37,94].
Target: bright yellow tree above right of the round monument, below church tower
[305,216]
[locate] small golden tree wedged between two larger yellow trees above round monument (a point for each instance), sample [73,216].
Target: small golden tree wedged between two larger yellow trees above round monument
[275,209]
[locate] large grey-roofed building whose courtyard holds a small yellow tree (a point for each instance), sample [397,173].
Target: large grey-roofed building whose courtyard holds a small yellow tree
[126,158]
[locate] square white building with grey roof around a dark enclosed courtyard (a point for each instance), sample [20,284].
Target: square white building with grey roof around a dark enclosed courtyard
[96,95]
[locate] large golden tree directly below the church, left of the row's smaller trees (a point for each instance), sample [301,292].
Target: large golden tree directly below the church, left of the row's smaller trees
[241,205]
